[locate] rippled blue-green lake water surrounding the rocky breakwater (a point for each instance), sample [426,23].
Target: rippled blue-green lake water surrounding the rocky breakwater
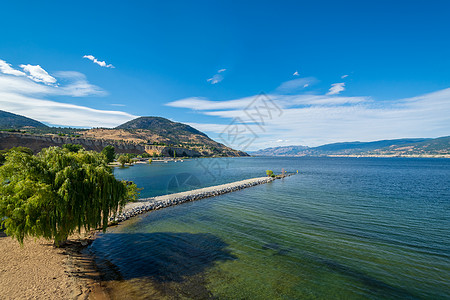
[343,228]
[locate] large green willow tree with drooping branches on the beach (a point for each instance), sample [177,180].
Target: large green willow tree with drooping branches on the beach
[58,192]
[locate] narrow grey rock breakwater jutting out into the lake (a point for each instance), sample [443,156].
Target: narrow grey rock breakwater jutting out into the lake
[147,204]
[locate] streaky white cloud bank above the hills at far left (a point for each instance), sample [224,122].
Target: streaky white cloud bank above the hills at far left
[22,95]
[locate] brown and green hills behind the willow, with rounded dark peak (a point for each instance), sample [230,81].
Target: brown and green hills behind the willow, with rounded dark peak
[149,134]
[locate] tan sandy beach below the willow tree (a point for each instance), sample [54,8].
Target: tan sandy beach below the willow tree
[39,271]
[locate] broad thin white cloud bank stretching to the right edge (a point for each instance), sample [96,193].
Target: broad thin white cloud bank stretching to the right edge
[318,119]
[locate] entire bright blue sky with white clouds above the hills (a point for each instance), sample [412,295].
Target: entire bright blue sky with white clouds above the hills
[250,74]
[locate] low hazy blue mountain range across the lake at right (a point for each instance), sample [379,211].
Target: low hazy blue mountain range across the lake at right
[420,147]
